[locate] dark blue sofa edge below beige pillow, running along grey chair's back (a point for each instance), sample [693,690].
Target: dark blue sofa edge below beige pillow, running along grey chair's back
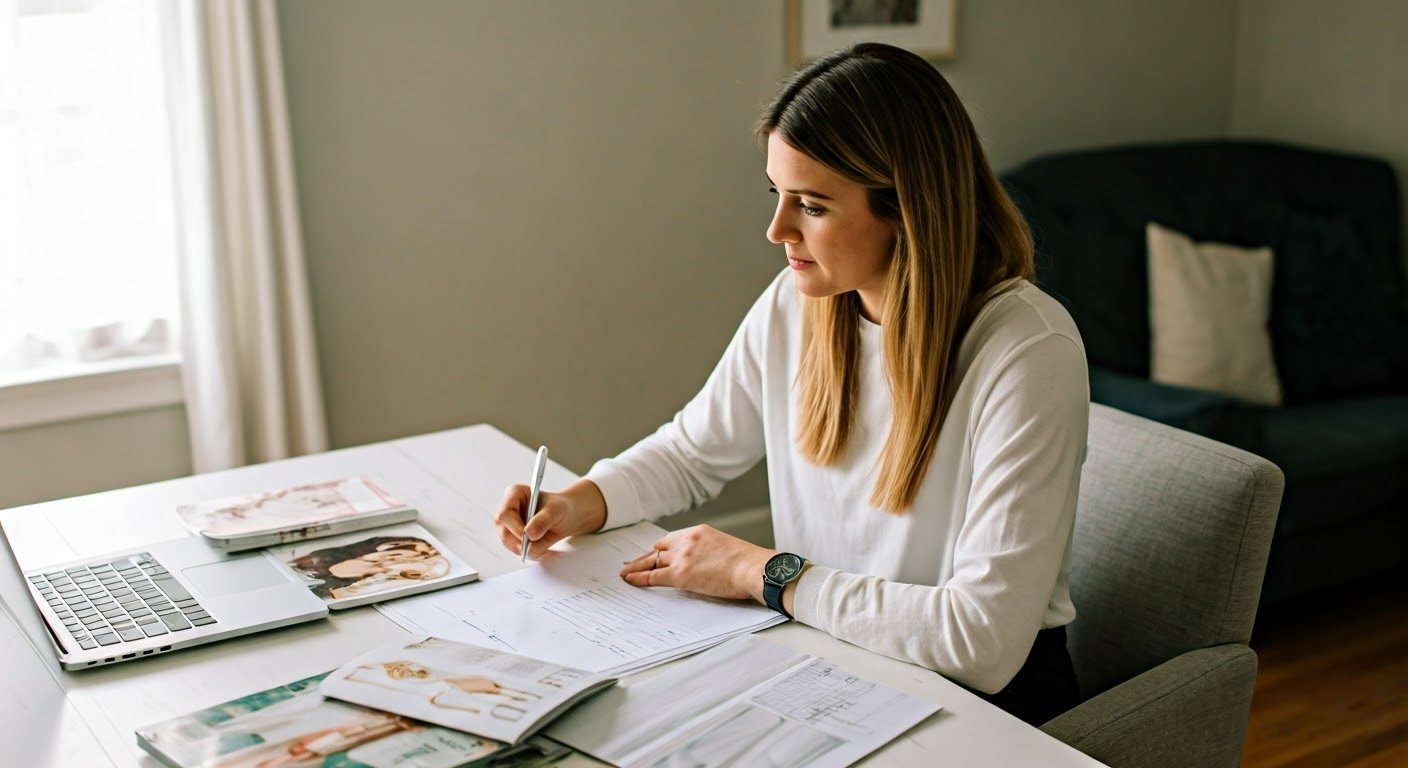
[1198,411]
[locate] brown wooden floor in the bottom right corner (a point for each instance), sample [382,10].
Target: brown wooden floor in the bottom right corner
[1333,686]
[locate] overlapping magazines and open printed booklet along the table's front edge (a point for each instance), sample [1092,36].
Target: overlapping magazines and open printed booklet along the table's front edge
[432,702]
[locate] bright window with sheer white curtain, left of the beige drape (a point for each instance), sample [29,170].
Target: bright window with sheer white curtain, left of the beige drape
[88,209]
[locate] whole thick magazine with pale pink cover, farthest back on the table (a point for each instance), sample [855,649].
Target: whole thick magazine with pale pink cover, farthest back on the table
[294,514]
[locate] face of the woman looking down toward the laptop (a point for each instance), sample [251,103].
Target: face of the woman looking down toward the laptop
[834,242]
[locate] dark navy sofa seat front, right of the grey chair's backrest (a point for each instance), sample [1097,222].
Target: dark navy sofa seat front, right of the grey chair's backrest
[1341,460]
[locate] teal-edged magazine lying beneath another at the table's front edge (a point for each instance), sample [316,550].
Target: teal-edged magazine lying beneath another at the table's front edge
[295,725]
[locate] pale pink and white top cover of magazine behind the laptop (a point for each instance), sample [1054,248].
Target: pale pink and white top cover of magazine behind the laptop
[288,508]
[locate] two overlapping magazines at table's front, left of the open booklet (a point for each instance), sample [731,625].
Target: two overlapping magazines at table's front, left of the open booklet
[423,704]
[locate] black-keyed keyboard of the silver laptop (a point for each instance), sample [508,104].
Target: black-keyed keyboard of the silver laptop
[126,600]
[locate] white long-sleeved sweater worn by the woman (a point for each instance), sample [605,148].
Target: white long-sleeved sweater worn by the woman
[965,580]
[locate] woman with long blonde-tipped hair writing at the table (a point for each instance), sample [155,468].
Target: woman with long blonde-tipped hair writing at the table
[923,407]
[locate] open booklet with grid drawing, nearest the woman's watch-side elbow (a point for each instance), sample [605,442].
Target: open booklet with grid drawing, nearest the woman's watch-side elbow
[775,707]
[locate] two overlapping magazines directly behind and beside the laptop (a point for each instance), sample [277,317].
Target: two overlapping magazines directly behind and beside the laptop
[350,540]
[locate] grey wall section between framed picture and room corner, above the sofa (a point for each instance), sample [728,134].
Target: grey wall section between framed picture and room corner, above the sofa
[1040,77]
